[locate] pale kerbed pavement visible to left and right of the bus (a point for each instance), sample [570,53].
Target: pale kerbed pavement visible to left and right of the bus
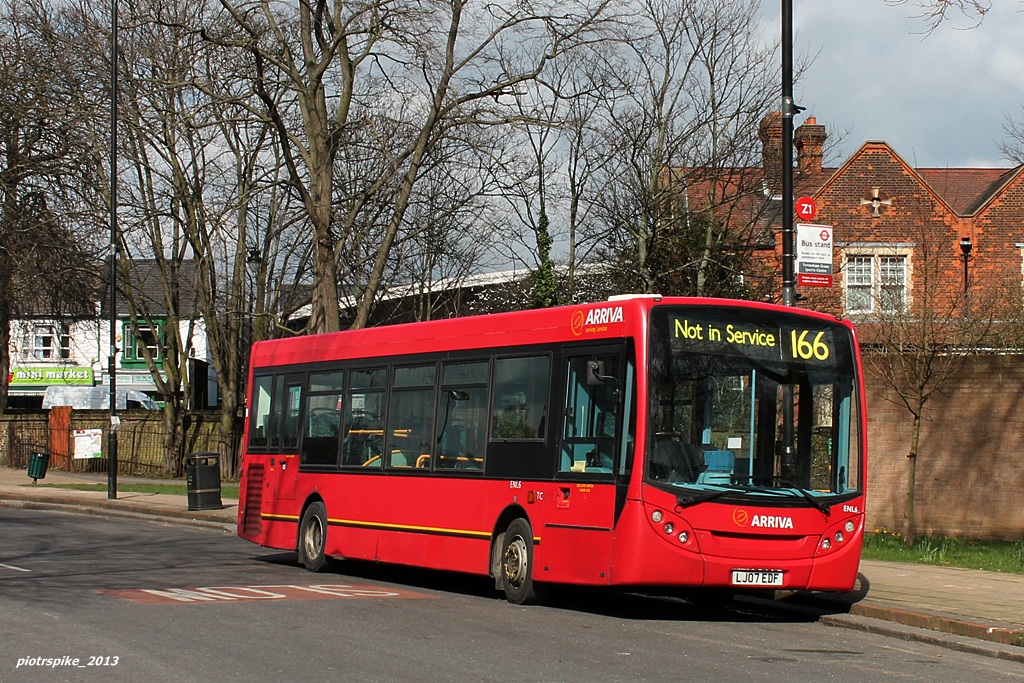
[963,610]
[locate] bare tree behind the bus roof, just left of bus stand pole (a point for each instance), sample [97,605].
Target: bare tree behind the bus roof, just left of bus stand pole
[689,89]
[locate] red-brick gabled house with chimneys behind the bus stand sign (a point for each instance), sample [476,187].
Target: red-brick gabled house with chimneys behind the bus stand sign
[904,235]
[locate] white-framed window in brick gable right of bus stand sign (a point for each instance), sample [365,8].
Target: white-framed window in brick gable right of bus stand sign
[876,283]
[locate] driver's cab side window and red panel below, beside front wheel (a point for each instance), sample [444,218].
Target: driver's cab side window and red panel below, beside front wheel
[582,524]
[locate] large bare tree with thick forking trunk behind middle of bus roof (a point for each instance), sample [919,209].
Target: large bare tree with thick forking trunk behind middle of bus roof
[350,68]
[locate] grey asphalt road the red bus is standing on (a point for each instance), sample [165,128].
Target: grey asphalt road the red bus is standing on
[103,600]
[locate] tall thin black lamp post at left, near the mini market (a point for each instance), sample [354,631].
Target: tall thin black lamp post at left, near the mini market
[112,436]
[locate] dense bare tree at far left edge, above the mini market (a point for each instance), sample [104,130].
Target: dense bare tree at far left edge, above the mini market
[47,243]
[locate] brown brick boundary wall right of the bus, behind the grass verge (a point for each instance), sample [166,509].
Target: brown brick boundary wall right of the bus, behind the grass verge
[971,461]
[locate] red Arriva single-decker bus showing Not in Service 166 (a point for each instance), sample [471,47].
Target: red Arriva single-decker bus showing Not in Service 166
[644,442]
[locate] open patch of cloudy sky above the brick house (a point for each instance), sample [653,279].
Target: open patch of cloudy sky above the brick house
[941,101]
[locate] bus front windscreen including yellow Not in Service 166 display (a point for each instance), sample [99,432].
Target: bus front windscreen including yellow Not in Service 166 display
[752,403]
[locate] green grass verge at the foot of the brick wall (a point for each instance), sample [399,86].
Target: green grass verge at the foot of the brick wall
[1006,557]
